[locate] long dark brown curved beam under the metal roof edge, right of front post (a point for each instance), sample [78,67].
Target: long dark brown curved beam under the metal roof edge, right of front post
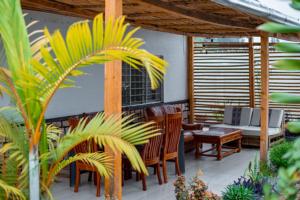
[199,15]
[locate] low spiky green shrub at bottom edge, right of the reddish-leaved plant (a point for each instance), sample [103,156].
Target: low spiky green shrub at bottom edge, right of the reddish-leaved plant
[238,192]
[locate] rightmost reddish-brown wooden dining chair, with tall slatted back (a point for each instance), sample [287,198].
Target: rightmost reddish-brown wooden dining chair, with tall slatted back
[171,142]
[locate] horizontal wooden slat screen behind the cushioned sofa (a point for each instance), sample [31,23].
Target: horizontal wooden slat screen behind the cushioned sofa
[221,77]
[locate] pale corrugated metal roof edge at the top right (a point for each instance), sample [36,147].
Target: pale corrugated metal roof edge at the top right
[260,10]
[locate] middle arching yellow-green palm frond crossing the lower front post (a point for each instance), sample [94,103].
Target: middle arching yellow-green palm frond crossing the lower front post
[114,132]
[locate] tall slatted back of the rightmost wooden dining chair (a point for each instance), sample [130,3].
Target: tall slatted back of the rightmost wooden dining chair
[173,131]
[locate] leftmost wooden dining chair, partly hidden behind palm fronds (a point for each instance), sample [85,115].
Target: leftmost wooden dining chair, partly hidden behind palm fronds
[85,147]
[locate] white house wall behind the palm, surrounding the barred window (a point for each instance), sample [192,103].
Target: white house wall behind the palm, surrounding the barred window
[89,96]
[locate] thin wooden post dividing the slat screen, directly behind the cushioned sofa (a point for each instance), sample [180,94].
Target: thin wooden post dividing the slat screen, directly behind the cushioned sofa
[251,74]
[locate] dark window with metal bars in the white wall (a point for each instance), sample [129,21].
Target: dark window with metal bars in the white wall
[136,87]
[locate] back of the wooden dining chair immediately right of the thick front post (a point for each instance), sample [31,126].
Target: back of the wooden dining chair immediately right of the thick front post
[151,150]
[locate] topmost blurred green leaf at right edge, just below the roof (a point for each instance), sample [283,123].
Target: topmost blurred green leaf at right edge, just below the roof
[279,28]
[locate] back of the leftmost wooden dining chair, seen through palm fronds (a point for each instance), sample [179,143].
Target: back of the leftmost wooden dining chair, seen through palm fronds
[86,146]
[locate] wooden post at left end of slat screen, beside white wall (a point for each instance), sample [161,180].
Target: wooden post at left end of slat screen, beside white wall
[190,67]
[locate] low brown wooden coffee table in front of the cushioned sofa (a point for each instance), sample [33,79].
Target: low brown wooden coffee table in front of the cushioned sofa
[218,137]
